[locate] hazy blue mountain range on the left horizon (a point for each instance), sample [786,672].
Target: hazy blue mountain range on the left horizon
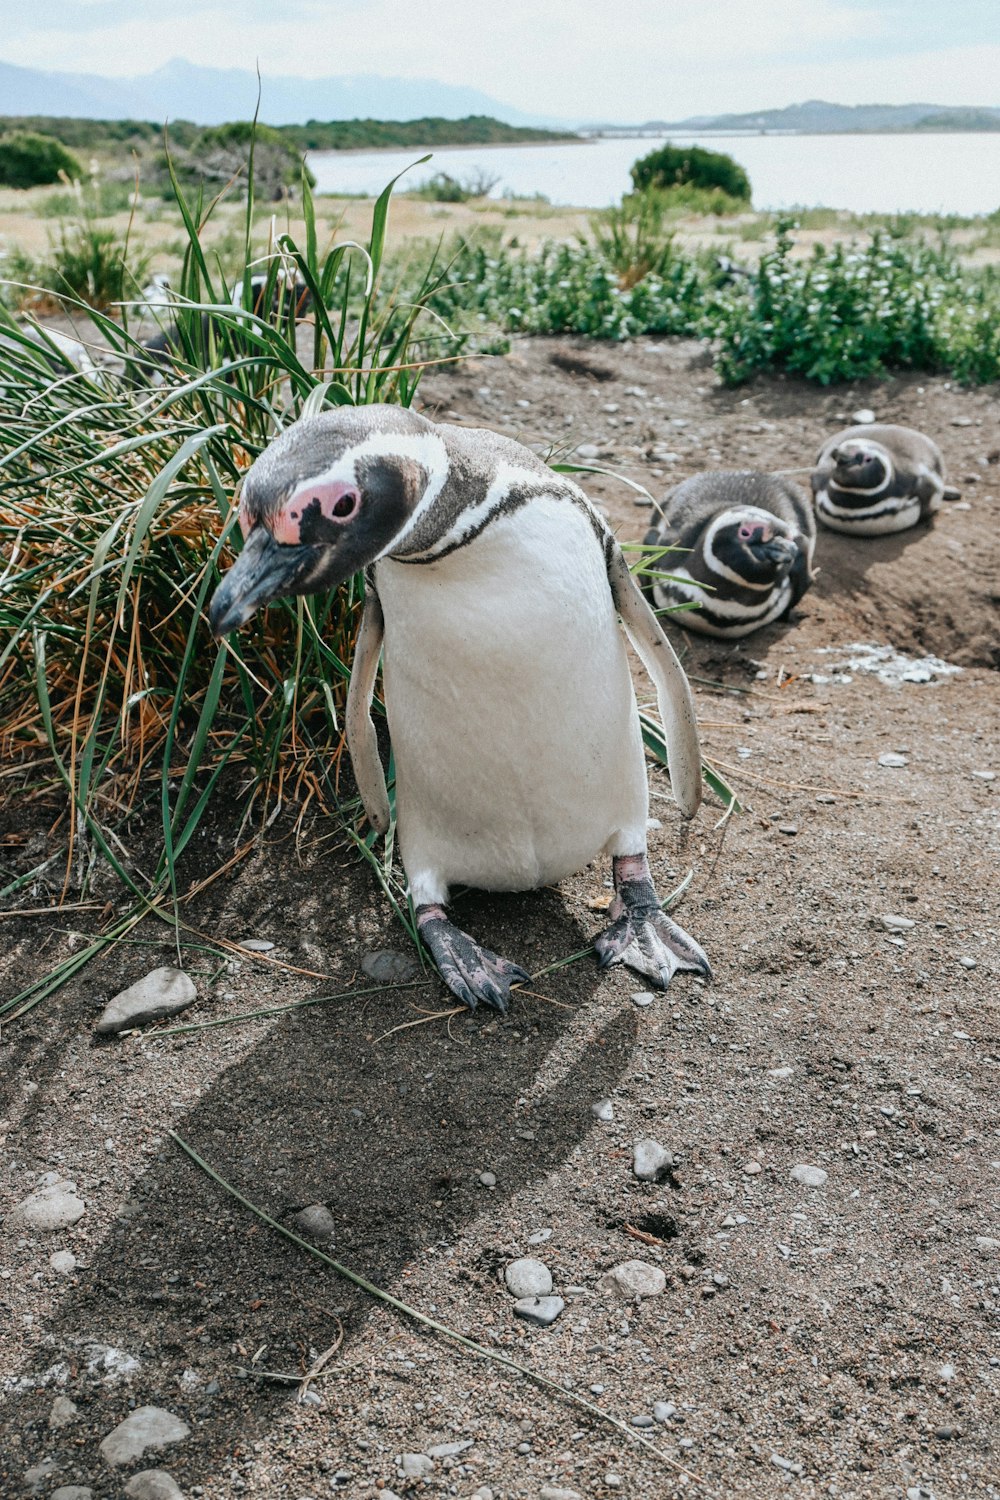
[184,91]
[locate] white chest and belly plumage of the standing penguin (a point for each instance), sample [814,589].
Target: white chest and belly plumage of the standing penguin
[510,706]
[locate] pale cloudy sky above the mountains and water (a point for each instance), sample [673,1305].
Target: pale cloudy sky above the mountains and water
[570,59]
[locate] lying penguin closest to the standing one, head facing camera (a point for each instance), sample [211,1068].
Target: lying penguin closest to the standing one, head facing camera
[747,557]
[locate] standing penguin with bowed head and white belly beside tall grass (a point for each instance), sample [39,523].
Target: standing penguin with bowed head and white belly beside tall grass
[494,590]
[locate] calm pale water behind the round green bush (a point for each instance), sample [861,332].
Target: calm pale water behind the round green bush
[866,173]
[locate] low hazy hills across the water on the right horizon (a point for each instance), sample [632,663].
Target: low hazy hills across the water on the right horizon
[819,118]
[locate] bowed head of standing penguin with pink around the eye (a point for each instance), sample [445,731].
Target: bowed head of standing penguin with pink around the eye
[331,496]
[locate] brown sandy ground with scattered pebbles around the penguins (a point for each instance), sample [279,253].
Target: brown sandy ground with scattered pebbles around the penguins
[836,1340]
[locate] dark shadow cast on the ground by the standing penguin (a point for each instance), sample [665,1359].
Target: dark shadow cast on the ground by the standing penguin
[388,1124]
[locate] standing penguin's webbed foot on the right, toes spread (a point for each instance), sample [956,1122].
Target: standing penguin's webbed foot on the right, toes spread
[642,935]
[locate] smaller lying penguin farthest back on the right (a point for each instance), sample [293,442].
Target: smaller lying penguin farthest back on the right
[878,479]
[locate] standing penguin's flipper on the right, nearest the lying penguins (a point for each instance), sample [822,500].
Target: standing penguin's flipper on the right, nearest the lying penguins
[674,694]
